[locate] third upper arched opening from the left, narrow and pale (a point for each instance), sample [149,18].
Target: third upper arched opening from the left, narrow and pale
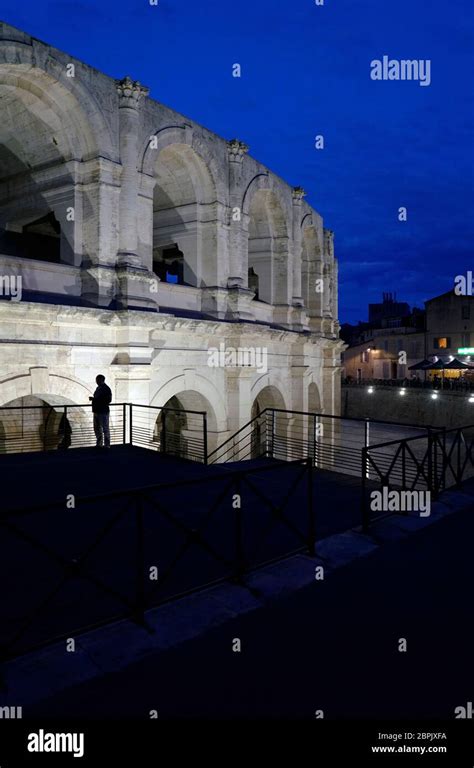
[268,262]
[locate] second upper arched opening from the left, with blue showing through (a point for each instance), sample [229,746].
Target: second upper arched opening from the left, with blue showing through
[184,219]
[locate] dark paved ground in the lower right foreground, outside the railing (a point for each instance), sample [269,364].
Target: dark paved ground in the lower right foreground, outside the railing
[333,646]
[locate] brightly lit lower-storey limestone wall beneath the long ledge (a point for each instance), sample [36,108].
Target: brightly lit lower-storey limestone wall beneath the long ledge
[56,352]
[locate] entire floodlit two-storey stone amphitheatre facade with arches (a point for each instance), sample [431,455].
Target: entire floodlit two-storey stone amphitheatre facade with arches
[143,241]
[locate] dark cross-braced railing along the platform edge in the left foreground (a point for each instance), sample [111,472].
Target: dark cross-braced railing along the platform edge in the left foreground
[117,555]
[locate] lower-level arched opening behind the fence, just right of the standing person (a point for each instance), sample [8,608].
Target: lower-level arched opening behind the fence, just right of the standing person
[179,429]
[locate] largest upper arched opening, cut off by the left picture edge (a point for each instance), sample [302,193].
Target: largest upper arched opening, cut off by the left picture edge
[40,144]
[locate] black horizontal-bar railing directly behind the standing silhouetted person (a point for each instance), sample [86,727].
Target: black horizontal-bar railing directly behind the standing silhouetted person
[60,427]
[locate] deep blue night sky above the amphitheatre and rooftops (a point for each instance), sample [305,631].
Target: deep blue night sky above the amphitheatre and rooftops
[306,71]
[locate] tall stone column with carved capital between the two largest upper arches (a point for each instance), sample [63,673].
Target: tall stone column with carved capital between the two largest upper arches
[130,94]
